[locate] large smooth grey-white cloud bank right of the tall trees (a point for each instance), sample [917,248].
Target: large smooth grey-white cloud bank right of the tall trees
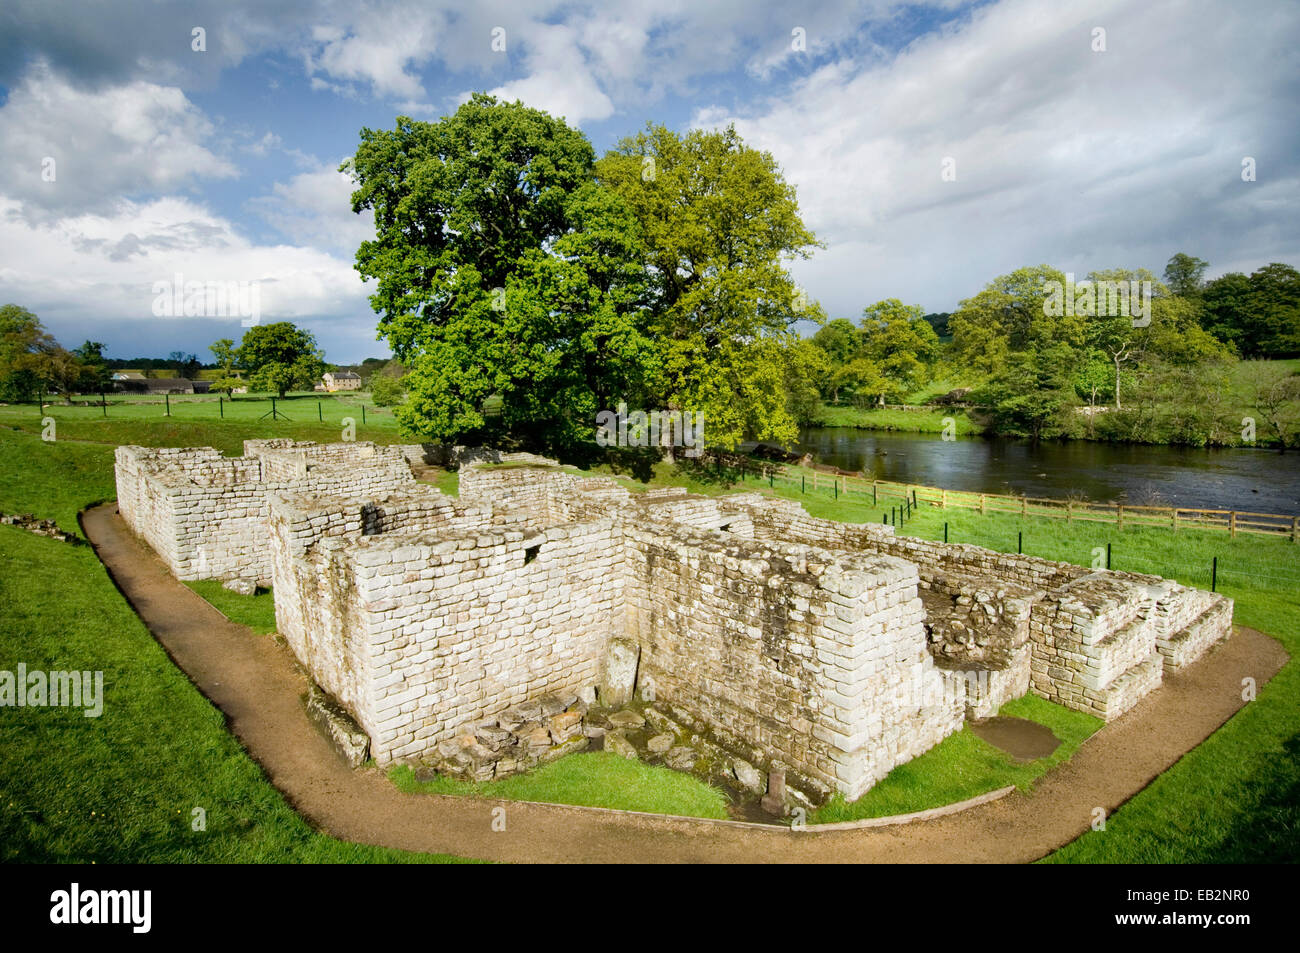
[1063,155]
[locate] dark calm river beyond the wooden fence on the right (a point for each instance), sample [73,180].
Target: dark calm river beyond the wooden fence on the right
[1228,479]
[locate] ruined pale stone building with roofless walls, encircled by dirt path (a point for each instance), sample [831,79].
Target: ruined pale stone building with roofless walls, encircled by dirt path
[474,634]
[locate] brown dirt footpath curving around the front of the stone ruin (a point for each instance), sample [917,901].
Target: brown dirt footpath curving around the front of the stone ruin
[257,685]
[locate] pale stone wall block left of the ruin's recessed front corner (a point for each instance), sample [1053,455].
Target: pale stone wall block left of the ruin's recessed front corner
[431,631]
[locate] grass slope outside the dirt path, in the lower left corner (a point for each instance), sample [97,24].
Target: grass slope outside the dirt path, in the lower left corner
[122,789]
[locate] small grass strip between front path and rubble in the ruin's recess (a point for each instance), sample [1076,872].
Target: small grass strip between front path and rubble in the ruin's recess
[595,779]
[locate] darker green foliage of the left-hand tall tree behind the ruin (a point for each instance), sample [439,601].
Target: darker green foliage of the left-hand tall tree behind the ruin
[502,268]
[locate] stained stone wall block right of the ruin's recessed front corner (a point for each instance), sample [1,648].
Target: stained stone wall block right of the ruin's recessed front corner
[826,672]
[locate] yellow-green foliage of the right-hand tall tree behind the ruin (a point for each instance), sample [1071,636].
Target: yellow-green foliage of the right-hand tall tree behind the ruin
[718,223]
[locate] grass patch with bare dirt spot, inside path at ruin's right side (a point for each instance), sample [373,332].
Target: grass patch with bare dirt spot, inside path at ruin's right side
[965,766]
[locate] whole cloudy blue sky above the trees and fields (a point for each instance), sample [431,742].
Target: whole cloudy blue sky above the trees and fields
[149,145]
